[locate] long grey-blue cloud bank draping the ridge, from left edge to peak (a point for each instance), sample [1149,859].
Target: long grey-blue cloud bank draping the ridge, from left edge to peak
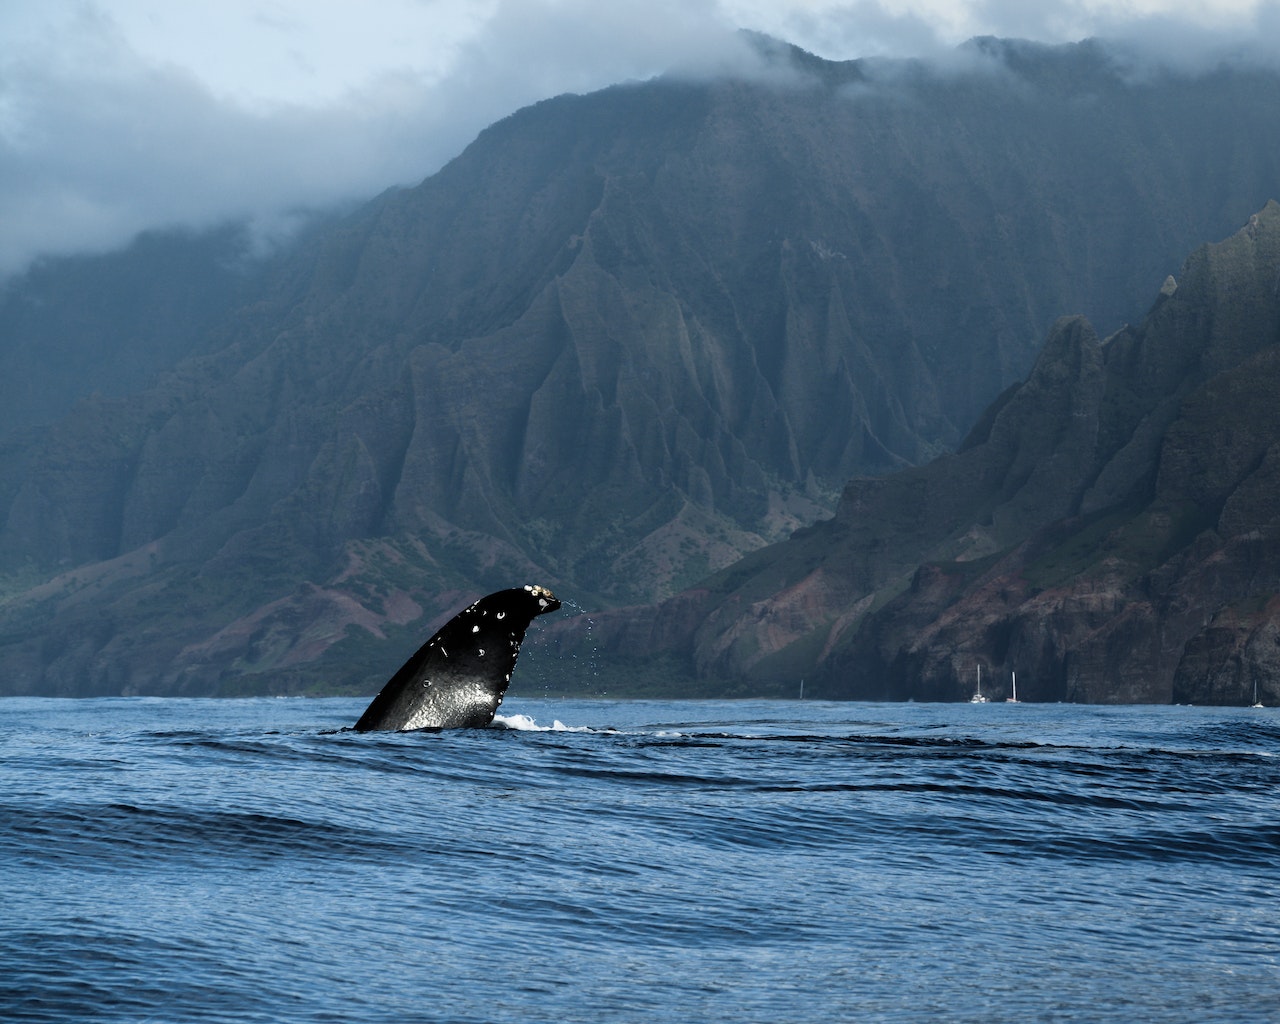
[99,141]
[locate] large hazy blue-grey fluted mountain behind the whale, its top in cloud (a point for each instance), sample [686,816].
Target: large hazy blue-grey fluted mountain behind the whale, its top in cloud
[619,342]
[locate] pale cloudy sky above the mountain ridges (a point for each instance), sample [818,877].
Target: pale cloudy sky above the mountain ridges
[126,116]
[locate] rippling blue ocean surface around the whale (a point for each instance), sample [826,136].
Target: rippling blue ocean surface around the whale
[598,861]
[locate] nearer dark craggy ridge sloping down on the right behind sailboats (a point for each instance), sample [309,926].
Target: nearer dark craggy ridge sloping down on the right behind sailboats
[1110,532]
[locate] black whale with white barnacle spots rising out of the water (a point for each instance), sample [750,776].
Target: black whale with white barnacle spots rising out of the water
[459,678]
